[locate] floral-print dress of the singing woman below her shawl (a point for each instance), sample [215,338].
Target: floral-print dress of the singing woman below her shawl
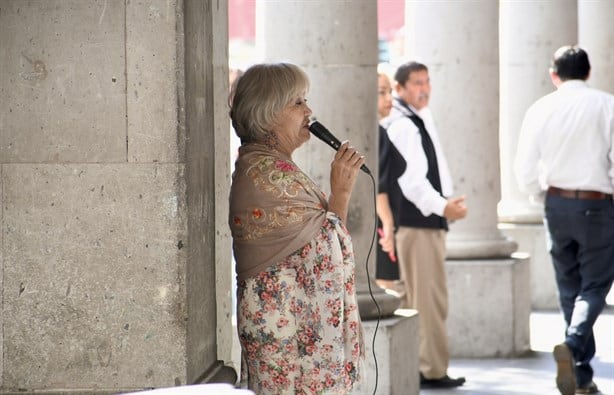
[298,320]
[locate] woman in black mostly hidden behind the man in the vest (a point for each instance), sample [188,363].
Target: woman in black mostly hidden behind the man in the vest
[387,268]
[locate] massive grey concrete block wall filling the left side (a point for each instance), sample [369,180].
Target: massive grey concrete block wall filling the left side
[95,242]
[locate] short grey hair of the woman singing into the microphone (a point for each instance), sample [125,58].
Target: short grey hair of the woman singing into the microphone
[260,94]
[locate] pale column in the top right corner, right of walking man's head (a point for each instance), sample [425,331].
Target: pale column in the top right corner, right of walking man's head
[596,36]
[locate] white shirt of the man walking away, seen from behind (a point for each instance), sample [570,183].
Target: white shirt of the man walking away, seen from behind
[567,141]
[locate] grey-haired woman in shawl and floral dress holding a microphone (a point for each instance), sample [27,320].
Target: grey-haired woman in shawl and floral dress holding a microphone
[297,313]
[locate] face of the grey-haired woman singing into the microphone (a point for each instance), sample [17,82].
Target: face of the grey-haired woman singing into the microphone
[292,125]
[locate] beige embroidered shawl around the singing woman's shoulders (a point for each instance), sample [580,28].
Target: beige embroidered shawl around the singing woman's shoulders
[275,209]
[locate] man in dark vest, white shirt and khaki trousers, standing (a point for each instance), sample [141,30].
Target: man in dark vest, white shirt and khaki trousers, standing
[418,186]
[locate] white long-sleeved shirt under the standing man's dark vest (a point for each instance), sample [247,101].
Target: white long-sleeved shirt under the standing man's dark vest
[405,136]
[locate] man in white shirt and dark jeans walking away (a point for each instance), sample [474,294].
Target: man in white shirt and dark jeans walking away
[566,152]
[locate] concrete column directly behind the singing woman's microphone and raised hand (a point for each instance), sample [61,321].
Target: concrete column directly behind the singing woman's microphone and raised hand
[336,44]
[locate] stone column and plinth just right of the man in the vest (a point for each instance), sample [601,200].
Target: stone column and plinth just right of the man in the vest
[461,51]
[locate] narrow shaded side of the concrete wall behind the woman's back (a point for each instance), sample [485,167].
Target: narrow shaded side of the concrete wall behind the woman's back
[208,267]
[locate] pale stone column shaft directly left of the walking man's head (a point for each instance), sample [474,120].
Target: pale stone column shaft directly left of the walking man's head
[530,33]
